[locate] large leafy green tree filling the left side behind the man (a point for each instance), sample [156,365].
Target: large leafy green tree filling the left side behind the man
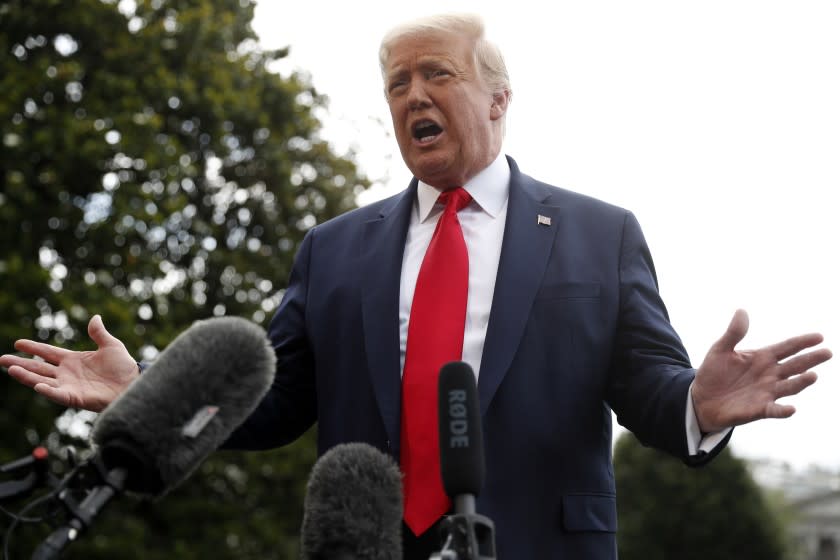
[155,171]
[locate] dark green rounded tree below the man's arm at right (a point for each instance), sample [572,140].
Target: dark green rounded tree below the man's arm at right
[667,510]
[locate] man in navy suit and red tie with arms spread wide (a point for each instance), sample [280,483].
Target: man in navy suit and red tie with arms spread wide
[560,318]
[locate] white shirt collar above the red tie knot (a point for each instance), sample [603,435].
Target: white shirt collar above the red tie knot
[489,189]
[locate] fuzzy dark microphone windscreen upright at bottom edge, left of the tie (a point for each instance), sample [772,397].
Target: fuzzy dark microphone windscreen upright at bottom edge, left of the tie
[353,506]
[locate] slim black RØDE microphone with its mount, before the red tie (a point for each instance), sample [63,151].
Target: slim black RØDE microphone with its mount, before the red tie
[466,534]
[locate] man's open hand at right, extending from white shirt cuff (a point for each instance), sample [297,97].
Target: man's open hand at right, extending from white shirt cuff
[735,387]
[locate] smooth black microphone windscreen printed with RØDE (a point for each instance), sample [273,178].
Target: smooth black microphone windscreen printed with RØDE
[461,441]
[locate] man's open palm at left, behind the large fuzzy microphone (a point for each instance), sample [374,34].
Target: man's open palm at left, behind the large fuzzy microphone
[89,380]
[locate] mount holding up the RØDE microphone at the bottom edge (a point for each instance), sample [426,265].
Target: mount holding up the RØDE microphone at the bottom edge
[466,534]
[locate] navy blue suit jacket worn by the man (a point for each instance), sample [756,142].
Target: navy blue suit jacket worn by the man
[577,328]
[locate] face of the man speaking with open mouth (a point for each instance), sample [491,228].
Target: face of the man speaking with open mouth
[447,122]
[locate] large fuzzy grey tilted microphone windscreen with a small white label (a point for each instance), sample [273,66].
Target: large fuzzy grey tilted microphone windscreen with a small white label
[186,404]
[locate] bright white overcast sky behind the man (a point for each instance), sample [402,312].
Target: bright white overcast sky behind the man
[717,123]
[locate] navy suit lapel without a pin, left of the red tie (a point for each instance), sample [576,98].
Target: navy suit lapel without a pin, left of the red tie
[382,255]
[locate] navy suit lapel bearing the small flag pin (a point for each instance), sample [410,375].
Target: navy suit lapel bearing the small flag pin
[530,230]
